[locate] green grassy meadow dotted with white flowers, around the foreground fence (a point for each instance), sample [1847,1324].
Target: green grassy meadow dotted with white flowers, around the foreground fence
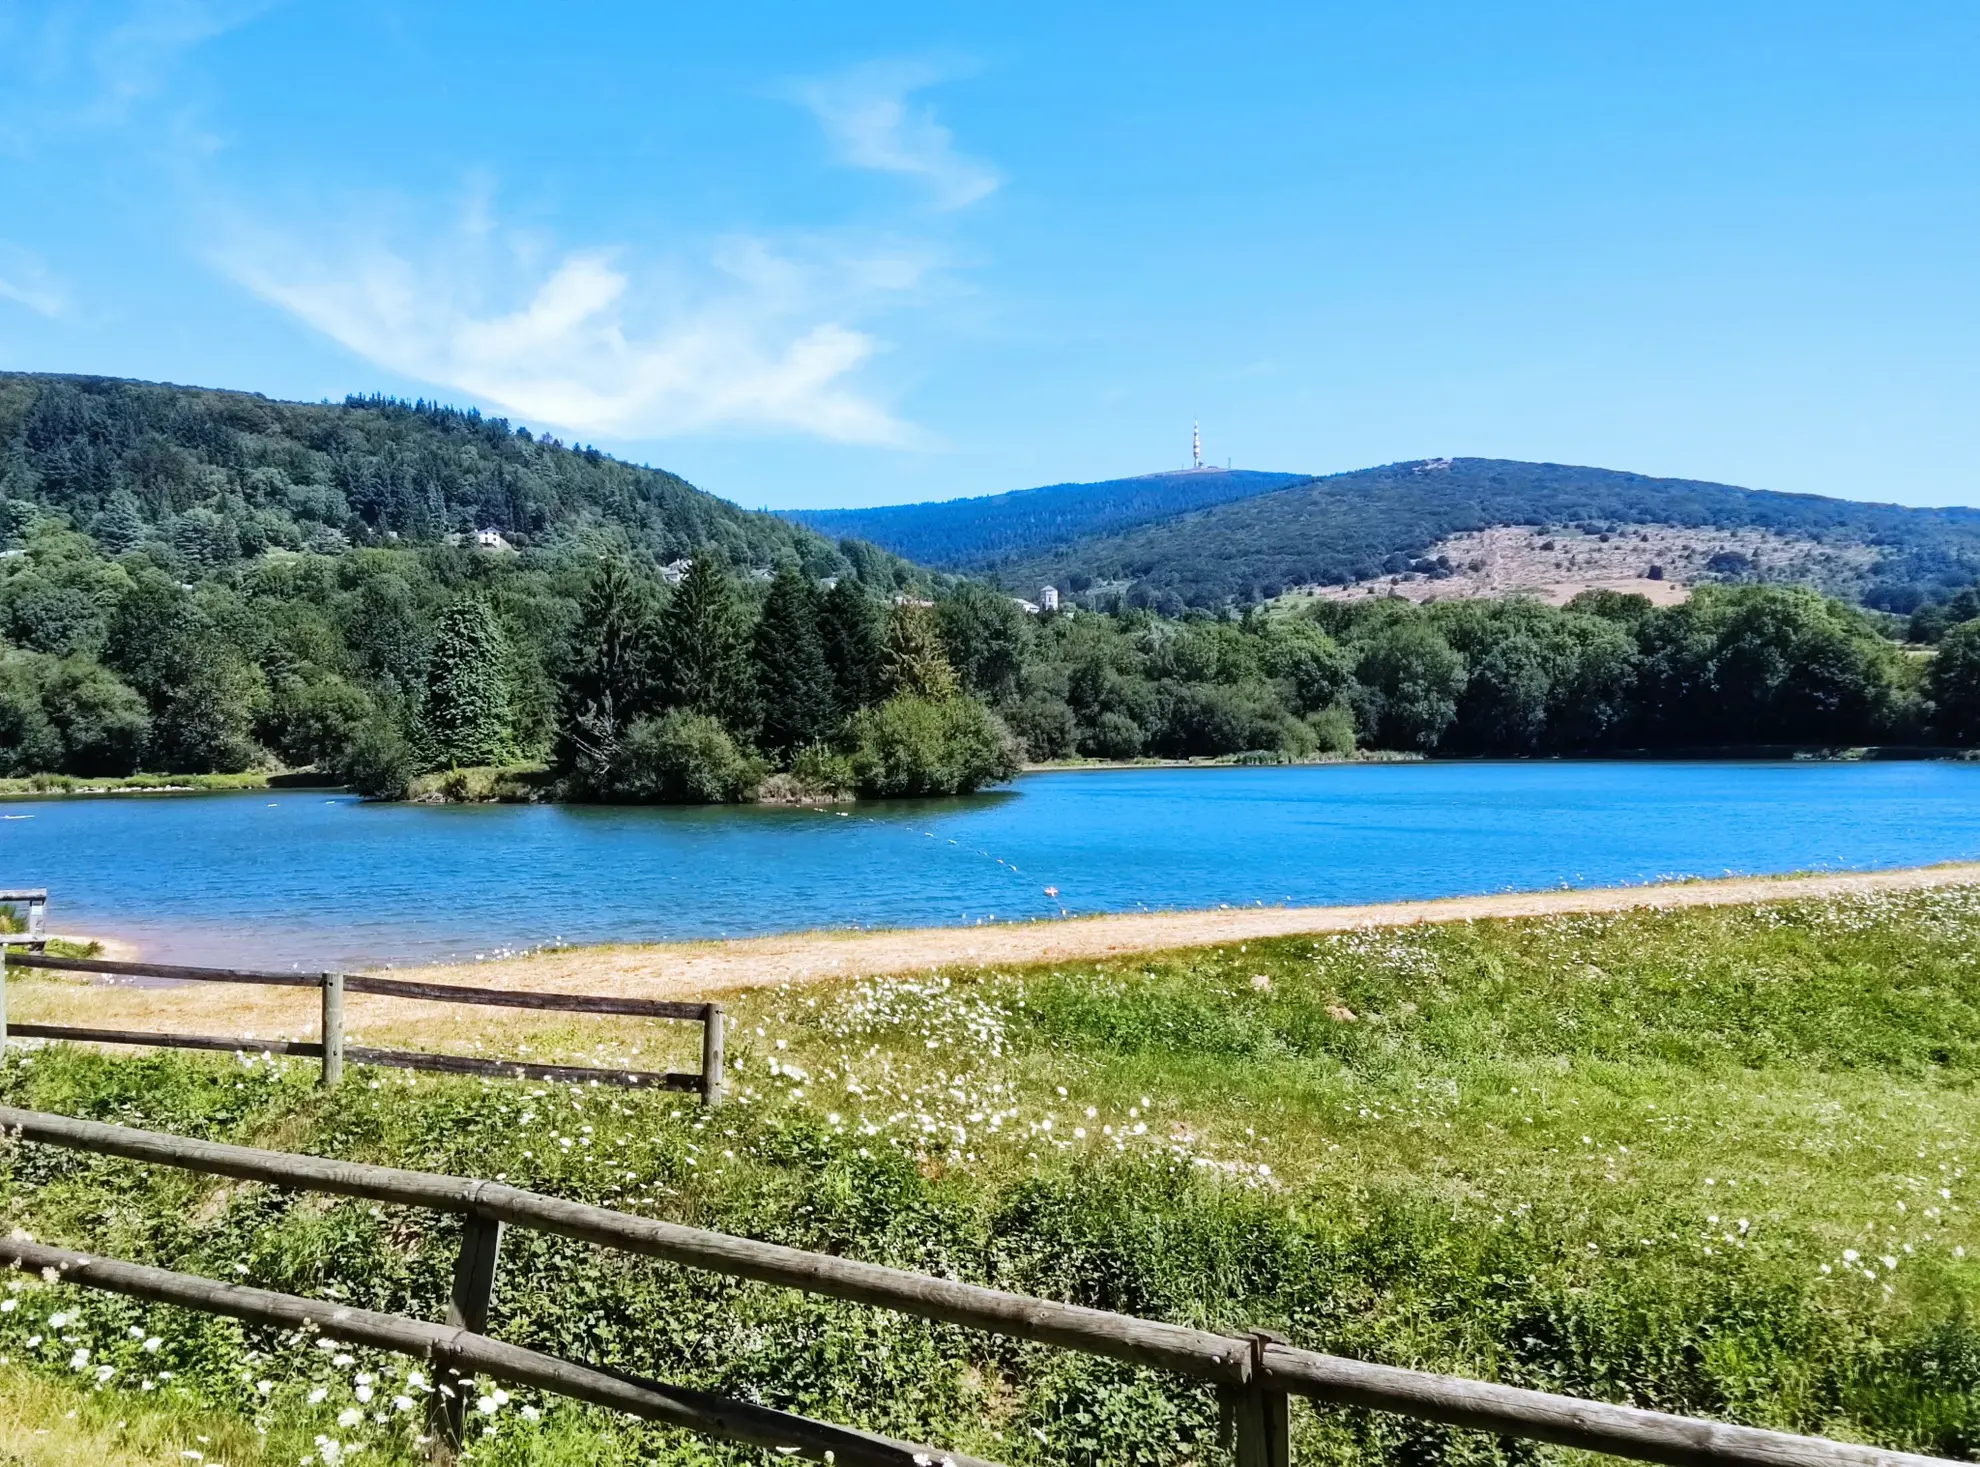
[1660,1159]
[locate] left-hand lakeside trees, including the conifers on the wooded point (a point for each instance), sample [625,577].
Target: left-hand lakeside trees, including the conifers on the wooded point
[383,664]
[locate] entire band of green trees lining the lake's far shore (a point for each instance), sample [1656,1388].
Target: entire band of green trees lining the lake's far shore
[379,664]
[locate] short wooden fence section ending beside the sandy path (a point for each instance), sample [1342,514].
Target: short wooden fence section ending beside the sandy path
[332,1048]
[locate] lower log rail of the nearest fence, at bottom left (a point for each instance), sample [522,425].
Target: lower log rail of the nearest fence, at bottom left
[468,1353]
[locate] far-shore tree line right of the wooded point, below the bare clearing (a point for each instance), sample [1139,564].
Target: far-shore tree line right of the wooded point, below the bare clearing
[1735,666]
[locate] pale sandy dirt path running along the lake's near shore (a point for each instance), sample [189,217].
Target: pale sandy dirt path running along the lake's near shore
[714,969]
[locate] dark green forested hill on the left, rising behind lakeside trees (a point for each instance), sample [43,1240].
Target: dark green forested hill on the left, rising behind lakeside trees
[225,476]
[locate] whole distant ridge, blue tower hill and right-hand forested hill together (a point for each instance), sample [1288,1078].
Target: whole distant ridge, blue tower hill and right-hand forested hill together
[1260,539]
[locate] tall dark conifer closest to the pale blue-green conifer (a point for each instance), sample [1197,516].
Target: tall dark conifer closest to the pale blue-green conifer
[611,678]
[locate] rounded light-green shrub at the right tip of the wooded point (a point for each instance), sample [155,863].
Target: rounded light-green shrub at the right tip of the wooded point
[916,745]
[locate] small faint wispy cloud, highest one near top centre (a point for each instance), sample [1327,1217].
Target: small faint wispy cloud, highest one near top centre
[874,122]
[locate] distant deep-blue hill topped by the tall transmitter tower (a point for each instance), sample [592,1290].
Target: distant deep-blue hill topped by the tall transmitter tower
[975,534]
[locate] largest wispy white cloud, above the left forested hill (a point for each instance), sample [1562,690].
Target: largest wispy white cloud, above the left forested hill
[593,342]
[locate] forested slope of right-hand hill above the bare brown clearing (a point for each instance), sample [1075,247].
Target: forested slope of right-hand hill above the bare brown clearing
[1371,524]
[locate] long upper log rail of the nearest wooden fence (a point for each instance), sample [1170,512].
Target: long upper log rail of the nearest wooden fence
[1256,1373]
